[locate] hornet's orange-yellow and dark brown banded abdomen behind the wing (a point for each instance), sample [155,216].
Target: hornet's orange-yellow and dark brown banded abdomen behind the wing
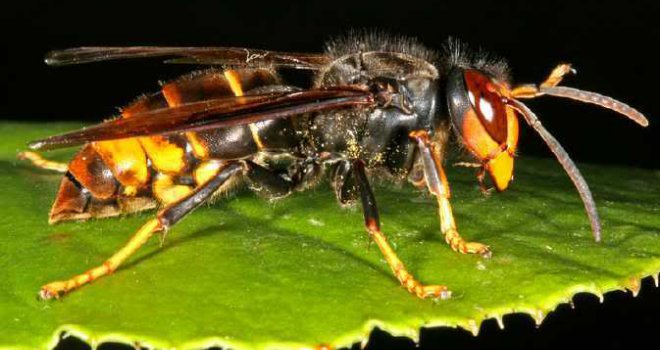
[108,178]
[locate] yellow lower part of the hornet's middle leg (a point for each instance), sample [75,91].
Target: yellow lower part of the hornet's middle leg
[400,272]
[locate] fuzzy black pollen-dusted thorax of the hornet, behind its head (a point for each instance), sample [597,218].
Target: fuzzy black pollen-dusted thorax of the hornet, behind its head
[378,136]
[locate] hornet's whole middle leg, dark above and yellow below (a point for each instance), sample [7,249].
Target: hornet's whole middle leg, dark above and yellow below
[372,224]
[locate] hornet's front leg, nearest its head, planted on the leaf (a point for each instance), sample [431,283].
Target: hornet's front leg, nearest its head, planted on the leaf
[437,184]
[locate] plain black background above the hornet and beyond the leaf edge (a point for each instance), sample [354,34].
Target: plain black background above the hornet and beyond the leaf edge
[613,46]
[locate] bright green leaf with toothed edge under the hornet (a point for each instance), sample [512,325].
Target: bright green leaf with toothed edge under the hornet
[249,274]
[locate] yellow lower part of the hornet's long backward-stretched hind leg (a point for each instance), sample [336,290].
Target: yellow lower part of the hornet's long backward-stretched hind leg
[58,288]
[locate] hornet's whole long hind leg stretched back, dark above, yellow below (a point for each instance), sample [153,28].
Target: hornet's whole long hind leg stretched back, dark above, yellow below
[165,219]
